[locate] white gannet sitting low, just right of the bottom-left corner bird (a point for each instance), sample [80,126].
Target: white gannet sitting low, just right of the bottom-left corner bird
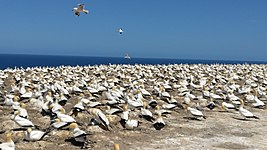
[34,135]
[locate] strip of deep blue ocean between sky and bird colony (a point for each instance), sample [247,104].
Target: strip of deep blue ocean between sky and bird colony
[20,60]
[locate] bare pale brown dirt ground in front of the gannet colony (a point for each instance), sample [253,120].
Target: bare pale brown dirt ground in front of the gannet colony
[220,130]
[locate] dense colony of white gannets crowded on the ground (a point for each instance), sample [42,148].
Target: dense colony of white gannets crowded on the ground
[129,93]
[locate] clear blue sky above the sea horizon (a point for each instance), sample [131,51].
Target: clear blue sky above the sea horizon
[183,29]
